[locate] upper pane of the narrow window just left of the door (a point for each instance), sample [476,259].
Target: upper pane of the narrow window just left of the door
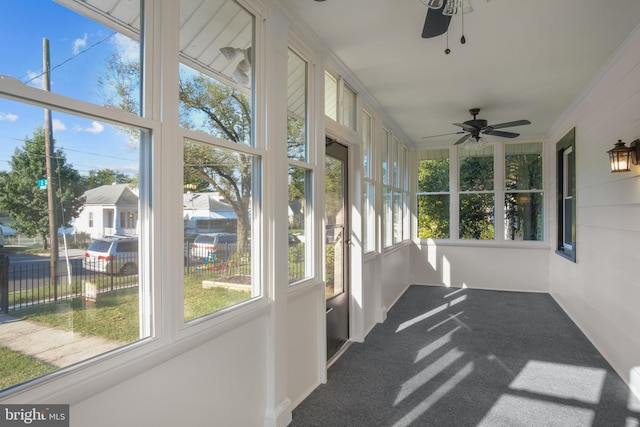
[297,107]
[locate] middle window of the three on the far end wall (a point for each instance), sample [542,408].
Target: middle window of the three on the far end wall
[476,195]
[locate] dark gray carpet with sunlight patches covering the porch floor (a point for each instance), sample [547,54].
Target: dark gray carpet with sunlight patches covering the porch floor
[461,357]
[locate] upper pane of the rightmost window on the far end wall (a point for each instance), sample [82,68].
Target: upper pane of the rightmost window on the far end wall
[523,166]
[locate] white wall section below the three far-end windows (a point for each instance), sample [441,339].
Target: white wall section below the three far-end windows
[482,267]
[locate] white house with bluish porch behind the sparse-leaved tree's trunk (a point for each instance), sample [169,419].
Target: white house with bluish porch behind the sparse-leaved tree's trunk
[207,213]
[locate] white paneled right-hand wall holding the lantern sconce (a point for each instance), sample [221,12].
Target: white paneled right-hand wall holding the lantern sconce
[601,291]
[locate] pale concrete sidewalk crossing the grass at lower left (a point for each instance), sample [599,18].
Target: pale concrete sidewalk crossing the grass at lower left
[56,346]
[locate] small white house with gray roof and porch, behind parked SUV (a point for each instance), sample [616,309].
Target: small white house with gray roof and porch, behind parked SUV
[109,210]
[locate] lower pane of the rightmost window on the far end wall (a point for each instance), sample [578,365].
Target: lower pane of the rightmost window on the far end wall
[524,216]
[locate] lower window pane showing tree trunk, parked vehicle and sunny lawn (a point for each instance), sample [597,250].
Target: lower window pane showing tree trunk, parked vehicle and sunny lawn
[217,207]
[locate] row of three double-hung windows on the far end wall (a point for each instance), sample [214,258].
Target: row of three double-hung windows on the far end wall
[474,212]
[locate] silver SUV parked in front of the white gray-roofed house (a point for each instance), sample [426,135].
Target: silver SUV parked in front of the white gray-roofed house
[112,255]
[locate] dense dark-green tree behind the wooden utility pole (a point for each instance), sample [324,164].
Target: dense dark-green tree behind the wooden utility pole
[25,202]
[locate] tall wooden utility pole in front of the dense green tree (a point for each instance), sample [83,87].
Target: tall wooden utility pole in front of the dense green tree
[51,194]
